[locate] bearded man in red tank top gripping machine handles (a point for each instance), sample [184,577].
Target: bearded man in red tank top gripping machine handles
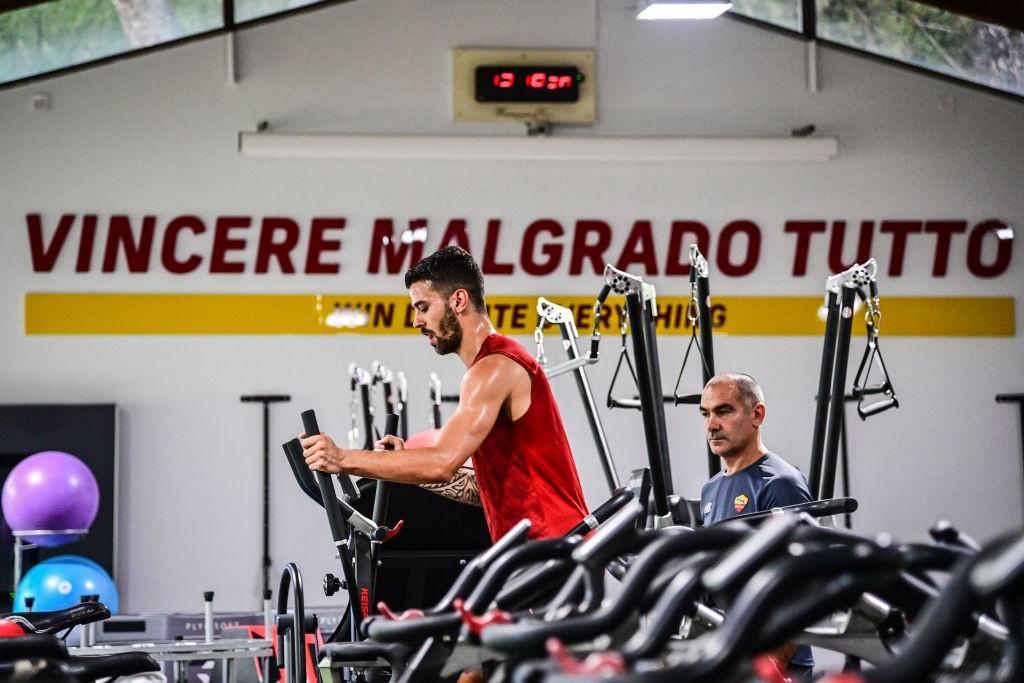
[507,418]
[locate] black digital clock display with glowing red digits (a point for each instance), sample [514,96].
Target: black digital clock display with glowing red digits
[502,83]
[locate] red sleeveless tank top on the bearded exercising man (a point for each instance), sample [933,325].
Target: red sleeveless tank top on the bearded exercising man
[525,468]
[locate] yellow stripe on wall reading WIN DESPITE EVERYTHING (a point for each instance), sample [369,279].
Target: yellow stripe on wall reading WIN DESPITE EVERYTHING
[80,314]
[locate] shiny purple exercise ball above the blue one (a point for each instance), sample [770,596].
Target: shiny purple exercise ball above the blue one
[51,491]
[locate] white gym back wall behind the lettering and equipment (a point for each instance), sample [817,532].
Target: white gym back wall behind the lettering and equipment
[157,136]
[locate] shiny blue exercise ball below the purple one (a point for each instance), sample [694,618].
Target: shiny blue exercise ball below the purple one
[62,585]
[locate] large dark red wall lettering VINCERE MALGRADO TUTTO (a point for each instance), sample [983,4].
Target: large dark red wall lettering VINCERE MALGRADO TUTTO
[245,244]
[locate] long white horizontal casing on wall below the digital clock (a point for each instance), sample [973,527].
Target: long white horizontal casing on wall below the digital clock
[569,149]
